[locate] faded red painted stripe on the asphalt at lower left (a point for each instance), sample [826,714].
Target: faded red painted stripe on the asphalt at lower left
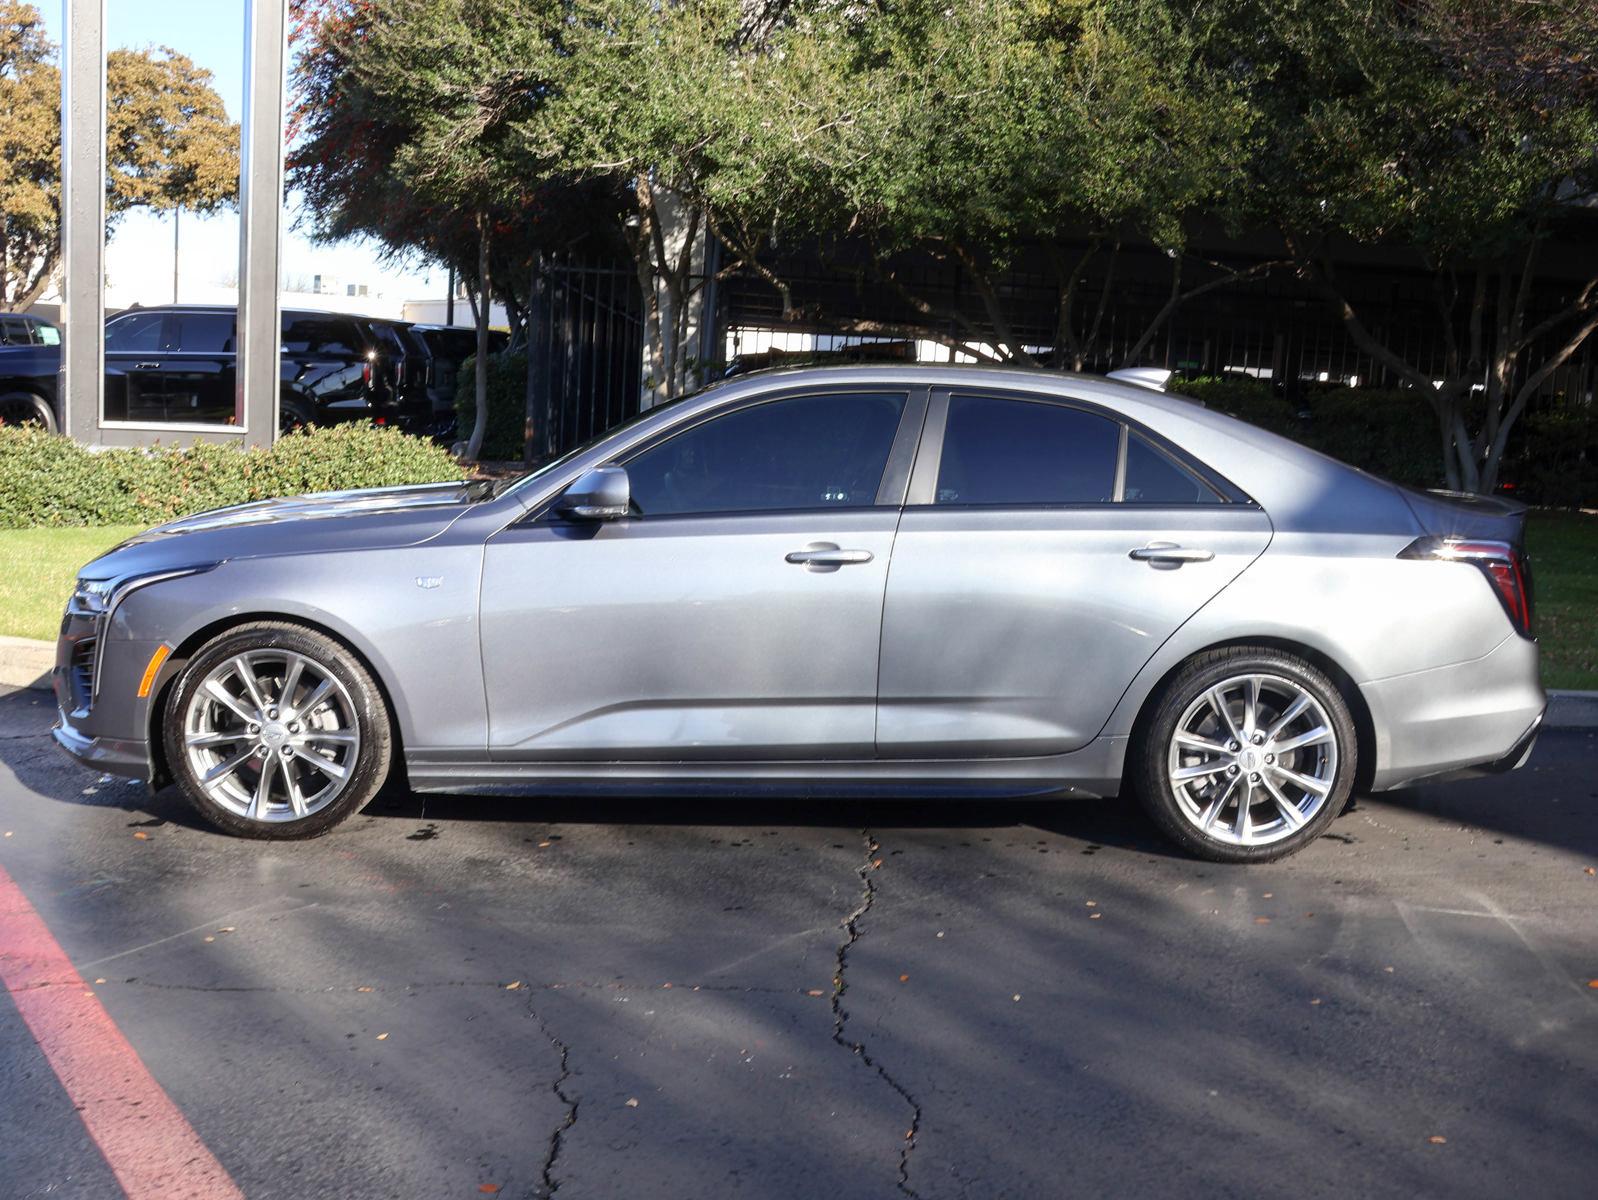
[149,1145]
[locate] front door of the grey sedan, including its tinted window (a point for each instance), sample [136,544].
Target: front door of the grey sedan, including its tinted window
[736,614]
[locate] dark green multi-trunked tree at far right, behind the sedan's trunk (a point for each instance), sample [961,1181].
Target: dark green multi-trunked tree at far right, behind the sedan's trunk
[1461,132]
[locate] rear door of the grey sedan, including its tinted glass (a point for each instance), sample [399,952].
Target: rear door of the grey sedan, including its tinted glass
[1046,552]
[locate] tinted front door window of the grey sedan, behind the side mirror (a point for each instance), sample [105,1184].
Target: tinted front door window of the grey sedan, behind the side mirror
[800,453]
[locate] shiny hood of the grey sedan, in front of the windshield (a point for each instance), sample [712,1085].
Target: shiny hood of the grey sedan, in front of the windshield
[298,525]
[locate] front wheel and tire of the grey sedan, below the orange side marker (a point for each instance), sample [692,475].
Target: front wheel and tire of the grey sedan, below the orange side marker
[325,749]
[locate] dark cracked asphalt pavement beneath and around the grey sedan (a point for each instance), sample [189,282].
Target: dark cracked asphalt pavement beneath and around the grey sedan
[471,996]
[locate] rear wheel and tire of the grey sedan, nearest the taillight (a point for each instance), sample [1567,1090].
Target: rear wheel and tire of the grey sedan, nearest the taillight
[1242,789]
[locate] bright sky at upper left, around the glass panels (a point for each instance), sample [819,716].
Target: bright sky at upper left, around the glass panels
[140,253]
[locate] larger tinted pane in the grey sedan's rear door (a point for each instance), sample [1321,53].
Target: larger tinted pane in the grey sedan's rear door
[1024,453]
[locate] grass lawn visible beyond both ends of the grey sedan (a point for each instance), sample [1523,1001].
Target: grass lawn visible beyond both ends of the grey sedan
[38,568]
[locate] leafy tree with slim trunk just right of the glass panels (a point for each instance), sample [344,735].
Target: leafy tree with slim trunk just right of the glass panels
[407,119]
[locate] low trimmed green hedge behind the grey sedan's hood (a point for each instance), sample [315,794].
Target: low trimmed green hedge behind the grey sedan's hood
[55,482]
